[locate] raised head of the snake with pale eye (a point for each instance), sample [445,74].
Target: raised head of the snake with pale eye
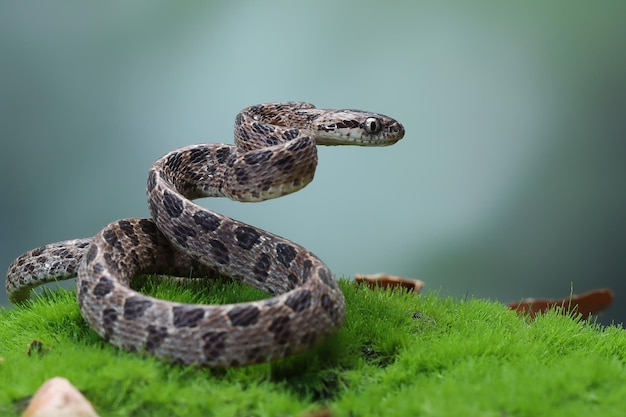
[356,127]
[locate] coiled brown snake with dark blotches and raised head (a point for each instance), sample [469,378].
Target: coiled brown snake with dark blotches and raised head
[275,154]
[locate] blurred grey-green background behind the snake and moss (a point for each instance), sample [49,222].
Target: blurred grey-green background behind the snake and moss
[509,182]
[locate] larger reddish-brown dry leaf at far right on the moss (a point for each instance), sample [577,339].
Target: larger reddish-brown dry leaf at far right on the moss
[586,304]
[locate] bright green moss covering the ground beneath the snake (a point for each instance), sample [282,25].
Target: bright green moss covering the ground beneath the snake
[397,354]
